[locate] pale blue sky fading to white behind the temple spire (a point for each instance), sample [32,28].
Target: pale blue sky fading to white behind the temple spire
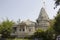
[25,9]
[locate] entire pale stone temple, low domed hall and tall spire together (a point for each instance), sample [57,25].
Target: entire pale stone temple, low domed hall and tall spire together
[27,28]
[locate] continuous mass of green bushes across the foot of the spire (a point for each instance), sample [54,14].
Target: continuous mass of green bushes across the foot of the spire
[45,35]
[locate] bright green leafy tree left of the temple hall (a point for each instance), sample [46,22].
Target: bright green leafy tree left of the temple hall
[6,28]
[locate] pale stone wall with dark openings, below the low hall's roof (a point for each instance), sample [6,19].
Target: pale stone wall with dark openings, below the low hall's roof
[23,31]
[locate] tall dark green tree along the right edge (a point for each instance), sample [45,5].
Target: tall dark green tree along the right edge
[56,25]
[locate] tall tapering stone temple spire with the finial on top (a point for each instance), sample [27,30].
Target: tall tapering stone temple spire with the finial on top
[43,19]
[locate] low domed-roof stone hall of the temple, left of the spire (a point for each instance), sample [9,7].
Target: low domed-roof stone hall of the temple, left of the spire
[24,29]
